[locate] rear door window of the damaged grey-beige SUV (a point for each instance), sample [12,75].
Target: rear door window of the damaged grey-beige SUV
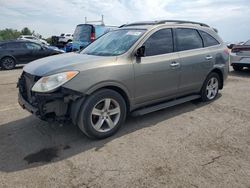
[188,39]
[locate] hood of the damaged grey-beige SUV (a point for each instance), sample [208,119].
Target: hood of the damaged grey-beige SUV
[66,62]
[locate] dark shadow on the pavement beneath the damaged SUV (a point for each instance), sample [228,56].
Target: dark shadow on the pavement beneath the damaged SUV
[30,142]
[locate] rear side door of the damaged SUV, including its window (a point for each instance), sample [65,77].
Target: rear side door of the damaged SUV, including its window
[195,61]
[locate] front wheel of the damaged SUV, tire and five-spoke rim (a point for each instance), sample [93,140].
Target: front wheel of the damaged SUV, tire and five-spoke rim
[102,114]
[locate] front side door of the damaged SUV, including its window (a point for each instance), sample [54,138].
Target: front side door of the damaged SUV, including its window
[157,73]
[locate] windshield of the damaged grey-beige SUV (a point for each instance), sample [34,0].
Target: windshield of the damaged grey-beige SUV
[114,43]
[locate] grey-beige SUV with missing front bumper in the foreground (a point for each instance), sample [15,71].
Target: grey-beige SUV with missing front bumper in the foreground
[136,69]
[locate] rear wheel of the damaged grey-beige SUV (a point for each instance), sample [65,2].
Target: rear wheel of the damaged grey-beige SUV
[210,87]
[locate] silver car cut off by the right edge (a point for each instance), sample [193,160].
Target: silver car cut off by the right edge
[240,56]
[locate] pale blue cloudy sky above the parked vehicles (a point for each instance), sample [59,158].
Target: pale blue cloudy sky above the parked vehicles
[53,17]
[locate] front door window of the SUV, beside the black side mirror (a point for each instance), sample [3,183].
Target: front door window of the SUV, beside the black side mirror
[161,42]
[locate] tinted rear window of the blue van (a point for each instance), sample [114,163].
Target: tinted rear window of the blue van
[82,33]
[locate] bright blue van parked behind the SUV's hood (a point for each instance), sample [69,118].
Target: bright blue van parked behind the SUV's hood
[86,33]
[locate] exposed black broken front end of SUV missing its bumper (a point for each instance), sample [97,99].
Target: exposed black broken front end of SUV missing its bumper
[62,105]
